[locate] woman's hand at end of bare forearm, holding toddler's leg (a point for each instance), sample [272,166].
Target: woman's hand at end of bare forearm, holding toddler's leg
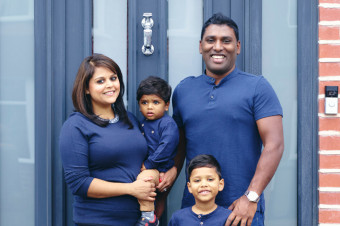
[144,189]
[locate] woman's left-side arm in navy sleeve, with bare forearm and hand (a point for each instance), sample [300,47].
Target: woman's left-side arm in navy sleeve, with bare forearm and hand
[75,158]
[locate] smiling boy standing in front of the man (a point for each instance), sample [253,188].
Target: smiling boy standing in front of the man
[205,182]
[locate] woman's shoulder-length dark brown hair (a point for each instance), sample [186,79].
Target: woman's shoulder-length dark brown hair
[82,101]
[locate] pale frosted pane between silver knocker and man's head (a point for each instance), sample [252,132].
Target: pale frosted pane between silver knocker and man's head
[184,32]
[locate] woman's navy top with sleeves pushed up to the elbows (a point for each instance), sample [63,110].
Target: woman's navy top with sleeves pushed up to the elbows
[112,153]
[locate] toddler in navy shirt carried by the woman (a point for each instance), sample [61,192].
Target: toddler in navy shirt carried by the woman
[161,134]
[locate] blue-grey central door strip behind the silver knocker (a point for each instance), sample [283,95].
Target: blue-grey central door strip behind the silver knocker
[141,66]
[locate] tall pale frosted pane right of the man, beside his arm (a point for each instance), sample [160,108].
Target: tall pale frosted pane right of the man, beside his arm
[279,64]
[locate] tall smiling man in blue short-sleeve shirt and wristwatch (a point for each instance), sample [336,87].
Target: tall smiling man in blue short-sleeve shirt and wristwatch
[229,114]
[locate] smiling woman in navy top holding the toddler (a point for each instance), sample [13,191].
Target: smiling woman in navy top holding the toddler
[102,149]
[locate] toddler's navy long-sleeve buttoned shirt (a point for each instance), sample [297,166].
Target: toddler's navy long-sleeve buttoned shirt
[162,137]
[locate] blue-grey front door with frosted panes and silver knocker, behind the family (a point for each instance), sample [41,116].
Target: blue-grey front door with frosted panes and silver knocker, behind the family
[119,33]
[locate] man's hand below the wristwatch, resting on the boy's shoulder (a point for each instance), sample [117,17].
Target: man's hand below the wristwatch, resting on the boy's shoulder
[243,212]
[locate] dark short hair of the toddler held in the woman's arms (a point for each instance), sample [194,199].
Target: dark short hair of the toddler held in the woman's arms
[154,85]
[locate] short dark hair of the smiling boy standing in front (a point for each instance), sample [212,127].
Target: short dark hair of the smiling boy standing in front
[204,161]
